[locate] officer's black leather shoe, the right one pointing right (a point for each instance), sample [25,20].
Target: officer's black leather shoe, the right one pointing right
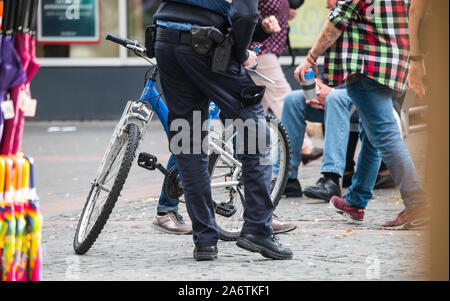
[267,245]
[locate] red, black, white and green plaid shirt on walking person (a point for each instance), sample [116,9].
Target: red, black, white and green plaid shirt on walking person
[375,42]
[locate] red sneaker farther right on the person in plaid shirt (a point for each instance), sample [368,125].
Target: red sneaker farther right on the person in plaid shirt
[408,219]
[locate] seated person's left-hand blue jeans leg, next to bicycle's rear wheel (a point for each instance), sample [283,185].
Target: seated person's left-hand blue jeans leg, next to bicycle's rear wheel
[295,114]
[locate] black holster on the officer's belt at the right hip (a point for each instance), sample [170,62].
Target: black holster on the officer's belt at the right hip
[209,41]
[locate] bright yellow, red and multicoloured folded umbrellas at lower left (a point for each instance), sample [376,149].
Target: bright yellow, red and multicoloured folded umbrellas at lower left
[20,221]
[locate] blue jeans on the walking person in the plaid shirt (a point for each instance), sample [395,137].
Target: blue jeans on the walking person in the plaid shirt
[381,140]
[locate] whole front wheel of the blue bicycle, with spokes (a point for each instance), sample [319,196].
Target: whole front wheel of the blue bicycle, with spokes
[102,197]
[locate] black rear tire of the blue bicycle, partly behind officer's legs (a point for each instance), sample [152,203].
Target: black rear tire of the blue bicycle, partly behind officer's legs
[284,139]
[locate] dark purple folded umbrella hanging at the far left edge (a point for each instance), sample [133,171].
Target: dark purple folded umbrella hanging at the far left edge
[11,71]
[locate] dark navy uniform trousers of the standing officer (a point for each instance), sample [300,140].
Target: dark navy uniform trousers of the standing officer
[188,85]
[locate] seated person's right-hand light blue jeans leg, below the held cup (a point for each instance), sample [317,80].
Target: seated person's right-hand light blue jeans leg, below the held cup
[337,128]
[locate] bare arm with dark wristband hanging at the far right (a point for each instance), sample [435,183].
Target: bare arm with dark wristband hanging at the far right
[417,71]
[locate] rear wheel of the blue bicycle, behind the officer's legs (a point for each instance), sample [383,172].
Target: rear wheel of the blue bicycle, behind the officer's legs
[222,170]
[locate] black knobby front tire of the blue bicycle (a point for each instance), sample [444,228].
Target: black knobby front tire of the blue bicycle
[131,145]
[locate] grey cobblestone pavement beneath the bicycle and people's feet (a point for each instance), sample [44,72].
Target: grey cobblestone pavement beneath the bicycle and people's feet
[325,246]
